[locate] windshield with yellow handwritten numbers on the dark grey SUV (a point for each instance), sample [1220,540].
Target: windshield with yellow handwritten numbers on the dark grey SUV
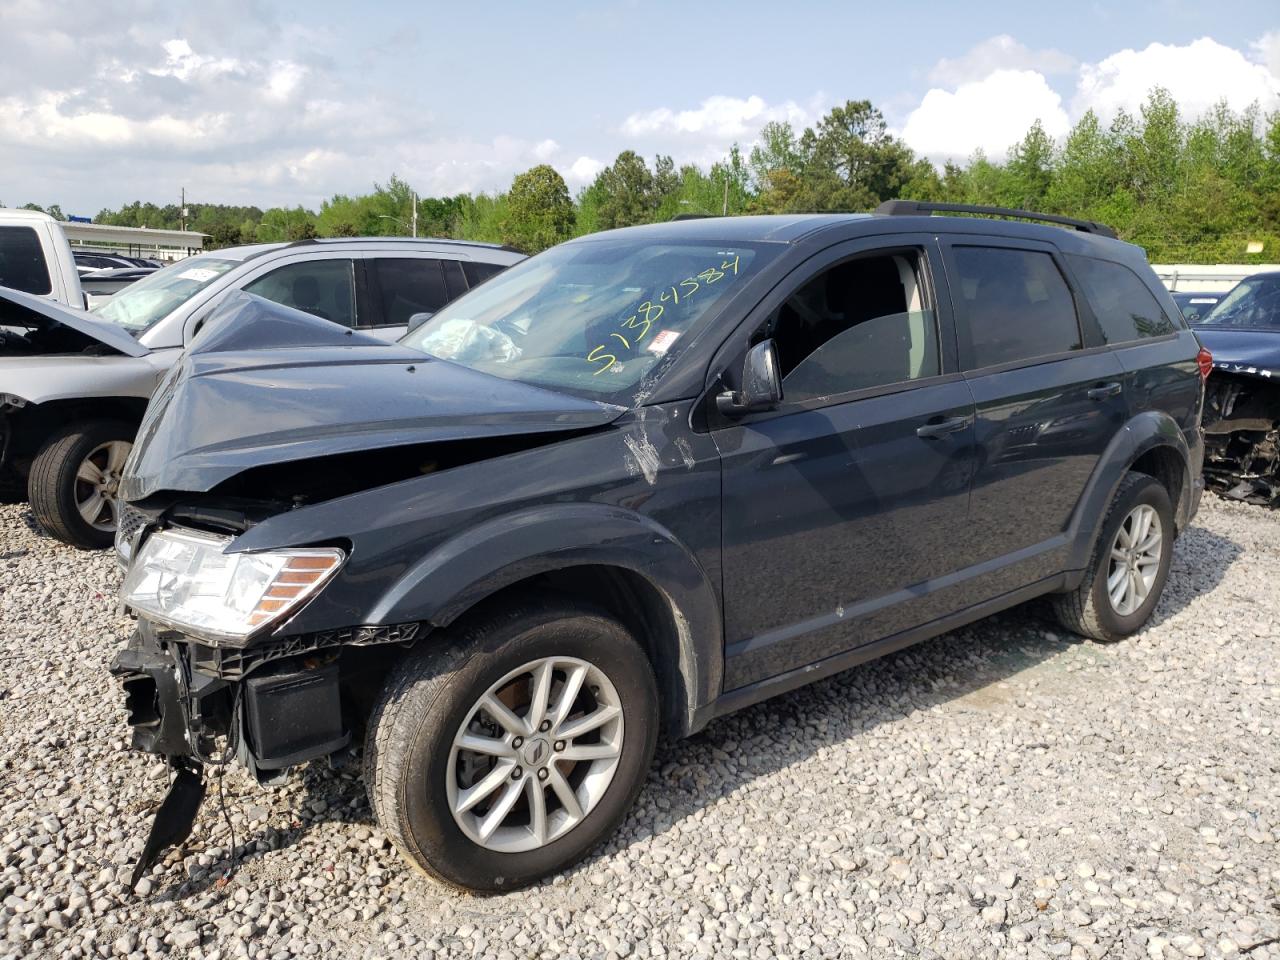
[591,318]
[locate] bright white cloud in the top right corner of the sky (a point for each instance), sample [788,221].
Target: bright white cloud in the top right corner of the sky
[1197,76]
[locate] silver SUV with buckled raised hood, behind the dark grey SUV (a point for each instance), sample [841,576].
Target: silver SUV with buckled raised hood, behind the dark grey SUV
[75,385]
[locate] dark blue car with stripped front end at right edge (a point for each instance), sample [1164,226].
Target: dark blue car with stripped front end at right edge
[1242,401]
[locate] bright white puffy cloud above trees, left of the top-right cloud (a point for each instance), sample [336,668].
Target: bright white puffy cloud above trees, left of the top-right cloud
[990,115]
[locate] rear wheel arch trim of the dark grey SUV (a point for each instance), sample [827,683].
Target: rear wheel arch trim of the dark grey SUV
[1144,433]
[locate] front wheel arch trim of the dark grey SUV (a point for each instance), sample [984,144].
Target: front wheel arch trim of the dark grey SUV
[479,563]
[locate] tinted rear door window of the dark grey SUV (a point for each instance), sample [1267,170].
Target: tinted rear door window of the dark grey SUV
[1012,305]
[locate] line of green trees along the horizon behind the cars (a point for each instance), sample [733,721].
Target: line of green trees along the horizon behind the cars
[1187,191]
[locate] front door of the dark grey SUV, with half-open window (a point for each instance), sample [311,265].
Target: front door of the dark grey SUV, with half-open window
[842,506]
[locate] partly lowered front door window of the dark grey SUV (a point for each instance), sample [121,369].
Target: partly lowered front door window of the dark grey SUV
[863,323]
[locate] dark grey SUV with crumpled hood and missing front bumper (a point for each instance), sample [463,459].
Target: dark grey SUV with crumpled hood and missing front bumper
[636,483]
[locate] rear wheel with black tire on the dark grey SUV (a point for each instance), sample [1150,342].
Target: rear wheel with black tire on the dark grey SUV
[1090,610]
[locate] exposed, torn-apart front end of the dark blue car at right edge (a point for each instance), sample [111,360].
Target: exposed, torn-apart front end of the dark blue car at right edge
[1242,435]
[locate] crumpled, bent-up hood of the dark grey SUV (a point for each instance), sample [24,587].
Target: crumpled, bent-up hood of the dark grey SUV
[266,385]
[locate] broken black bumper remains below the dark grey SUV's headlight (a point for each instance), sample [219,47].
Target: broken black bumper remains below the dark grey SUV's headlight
[284,714]
